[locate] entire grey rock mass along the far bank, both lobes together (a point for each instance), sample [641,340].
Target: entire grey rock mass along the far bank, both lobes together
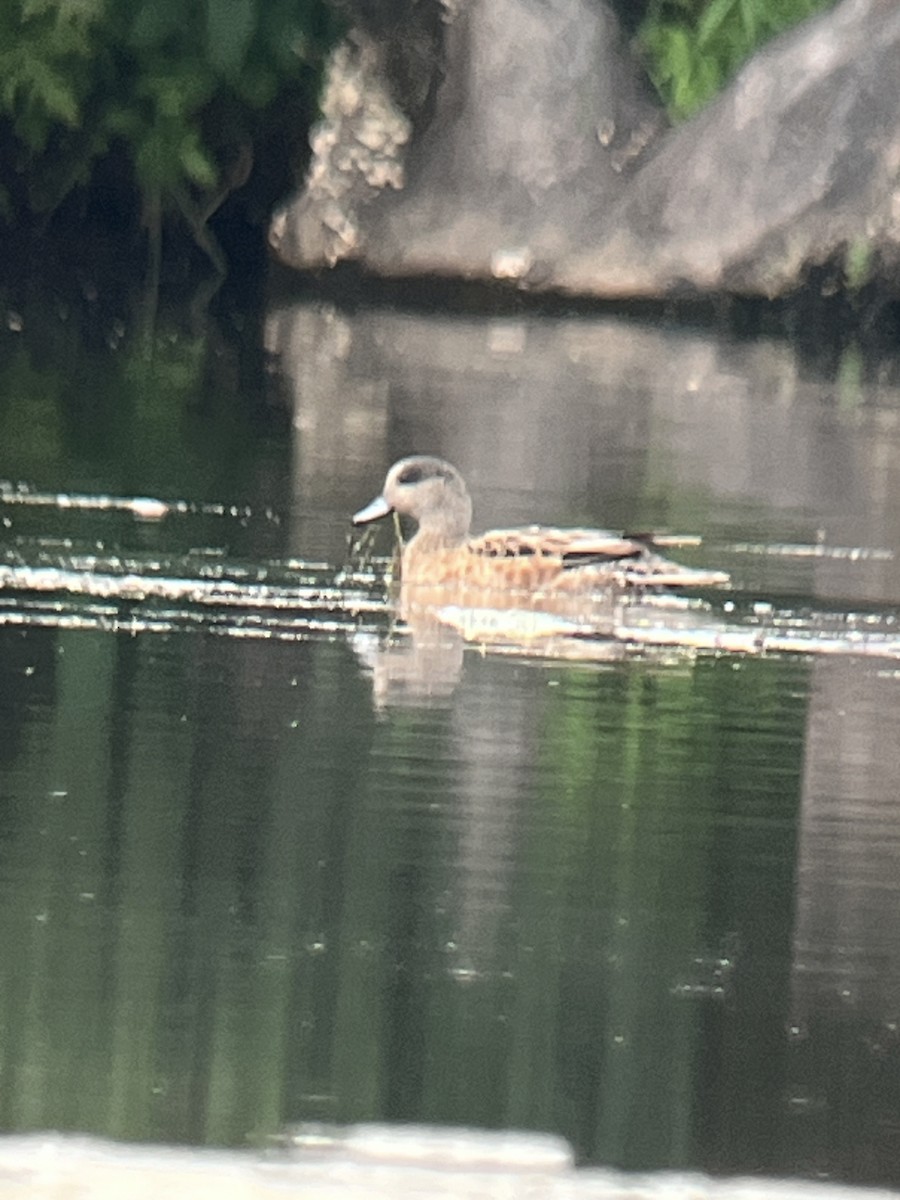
[532,149]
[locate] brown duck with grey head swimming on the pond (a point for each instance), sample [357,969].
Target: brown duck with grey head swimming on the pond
[523,562]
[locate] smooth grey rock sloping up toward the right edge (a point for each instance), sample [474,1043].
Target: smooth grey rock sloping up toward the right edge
[796,163]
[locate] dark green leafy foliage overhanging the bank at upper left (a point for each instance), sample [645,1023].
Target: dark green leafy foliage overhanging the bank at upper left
[175,82]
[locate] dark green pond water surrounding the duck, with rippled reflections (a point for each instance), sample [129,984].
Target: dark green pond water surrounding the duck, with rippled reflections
[266,862]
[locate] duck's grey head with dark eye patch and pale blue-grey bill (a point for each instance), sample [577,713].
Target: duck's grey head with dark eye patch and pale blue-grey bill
[430,491]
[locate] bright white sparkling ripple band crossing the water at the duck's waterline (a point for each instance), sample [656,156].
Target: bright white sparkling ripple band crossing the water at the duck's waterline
[297,601]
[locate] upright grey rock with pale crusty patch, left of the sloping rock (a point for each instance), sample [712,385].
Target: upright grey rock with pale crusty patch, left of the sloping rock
[535,116]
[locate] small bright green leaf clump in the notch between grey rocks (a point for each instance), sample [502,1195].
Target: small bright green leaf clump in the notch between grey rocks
[694,47]
